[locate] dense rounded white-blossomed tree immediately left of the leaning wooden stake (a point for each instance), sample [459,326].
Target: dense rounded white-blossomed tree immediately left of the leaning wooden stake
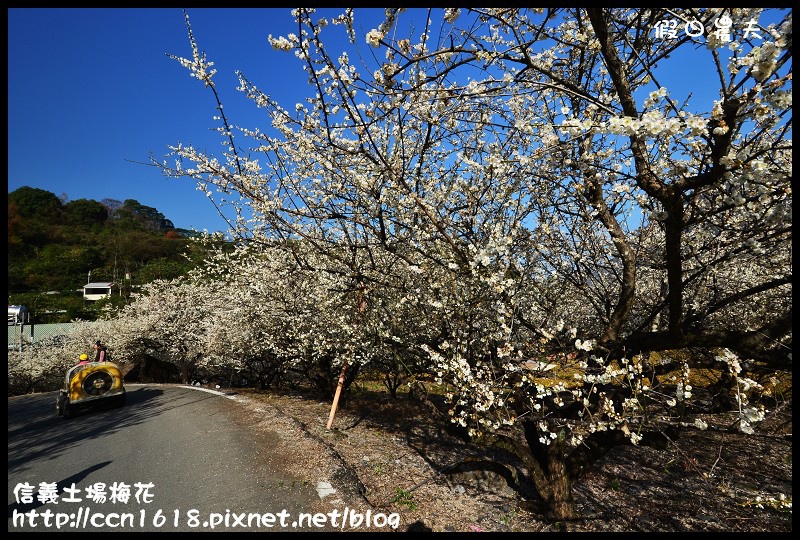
[279,318]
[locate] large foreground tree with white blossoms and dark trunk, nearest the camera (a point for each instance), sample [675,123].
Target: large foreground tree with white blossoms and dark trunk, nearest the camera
[524,182]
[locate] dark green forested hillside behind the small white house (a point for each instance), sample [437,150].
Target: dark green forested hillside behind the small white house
[55,246]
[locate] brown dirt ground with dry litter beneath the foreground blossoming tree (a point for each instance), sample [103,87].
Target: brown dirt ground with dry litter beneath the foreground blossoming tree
[390,456]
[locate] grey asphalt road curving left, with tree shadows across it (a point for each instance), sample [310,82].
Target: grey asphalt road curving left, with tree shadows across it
[188,464]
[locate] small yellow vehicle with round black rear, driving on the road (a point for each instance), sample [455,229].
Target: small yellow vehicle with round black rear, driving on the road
[91,384]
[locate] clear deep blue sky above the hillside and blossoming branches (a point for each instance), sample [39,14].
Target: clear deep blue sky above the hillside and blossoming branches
[92,93]
